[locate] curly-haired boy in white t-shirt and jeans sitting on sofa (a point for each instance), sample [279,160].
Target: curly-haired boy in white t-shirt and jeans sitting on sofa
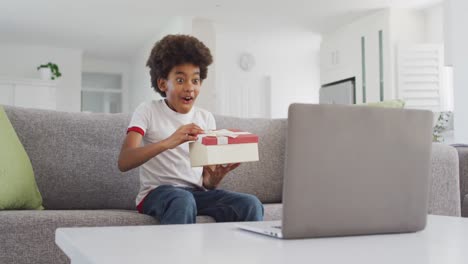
[170,190]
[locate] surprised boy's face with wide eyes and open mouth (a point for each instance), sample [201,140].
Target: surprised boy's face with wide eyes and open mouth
[182,87]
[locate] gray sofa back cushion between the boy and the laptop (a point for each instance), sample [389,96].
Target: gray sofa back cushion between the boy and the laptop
[263,178]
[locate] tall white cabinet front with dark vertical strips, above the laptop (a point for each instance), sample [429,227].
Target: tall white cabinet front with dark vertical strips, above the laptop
[346,43]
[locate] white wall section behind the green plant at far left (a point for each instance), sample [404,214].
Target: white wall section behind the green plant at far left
[21,61]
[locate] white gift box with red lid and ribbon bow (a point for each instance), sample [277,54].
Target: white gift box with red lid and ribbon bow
[222,147]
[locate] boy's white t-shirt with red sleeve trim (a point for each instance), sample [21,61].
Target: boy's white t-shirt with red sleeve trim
[156,121]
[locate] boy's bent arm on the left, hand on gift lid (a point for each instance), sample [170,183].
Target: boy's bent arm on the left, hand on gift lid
[133,154]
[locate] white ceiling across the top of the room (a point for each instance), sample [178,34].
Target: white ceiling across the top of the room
[117,28]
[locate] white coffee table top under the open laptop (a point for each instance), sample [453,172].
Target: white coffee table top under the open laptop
[445,240]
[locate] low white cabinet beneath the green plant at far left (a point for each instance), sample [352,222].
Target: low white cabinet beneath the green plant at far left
[30,93]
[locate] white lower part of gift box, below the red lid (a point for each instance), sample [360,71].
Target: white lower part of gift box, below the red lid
[201,155]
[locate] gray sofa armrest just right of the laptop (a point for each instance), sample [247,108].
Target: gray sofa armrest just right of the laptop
[444,185]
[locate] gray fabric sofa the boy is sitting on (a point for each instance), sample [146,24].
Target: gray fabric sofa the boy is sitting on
[74,157]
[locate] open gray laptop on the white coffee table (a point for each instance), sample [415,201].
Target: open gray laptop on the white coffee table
[353,170]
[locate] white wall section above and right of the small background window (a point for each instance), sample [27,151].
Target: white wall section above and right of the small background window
[111,66]
